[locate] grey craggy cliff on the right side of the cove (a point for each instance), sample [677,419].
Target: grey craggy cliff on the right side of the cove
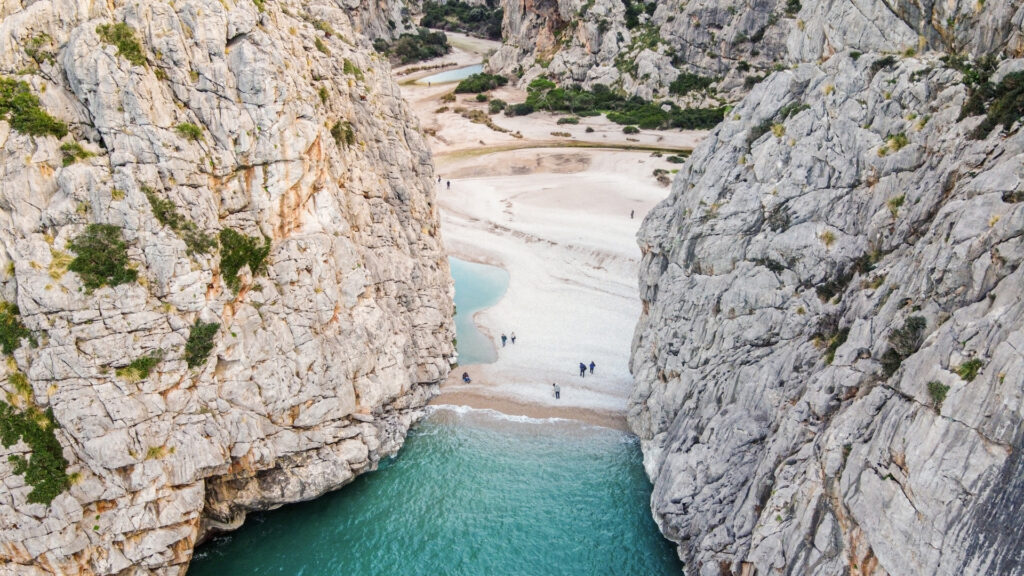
[829,367]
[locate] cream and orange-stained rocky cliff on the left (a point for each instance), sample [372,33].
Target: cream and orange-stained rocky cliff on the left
[259,125]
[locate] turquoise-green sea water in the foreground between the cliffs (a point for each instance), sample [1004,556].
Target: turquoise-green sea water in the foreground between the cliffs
[473,493]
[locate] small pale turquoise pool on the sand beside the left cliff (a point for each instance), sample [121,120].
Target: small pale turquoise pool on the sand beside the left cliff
[477,287]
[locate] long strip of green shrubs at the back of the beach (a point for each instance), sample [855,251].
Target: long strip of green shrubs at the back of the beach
[545,95]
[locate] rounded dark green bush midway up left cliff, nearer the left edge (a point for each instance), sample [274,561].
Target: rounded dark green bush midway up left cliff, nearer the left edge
[102,258]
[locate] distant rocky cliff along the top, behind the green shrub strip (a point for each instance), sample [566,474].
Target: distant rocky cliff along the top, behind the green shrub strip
[643,48]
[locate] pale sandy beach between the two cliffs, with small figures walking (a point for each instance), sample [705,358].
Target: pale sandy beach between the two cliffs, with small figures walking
[556,213]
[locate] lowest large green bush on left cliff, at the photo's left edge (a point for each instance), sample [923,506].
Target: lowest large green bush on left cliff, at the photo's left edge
[46,469]
